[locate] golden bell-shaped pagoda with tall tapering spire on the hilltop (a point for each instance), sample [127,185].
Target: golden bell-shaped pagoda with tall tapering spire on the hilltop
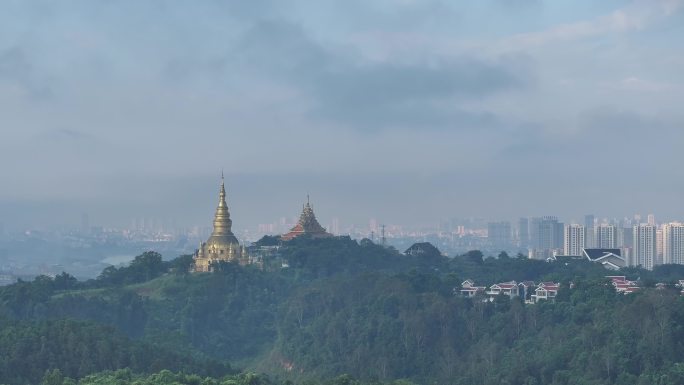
[222,244]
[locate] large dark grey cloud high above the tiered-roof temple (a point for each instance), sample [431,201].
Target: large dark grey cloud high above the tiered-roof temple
[351,90]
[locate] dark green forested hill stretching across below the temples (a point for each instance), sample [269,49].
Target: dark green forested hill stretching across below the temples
[342,308]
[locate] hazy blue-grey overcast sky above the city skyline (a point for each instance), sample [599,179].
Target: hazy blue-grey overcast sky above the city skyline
[406,111]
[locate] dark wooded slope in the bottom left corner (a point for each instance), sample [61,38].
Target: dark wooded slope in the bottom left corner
[28,349]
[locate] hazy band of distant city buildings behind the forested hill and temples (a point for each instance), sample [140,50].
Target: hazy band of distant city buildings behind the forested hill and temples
[626,238]
